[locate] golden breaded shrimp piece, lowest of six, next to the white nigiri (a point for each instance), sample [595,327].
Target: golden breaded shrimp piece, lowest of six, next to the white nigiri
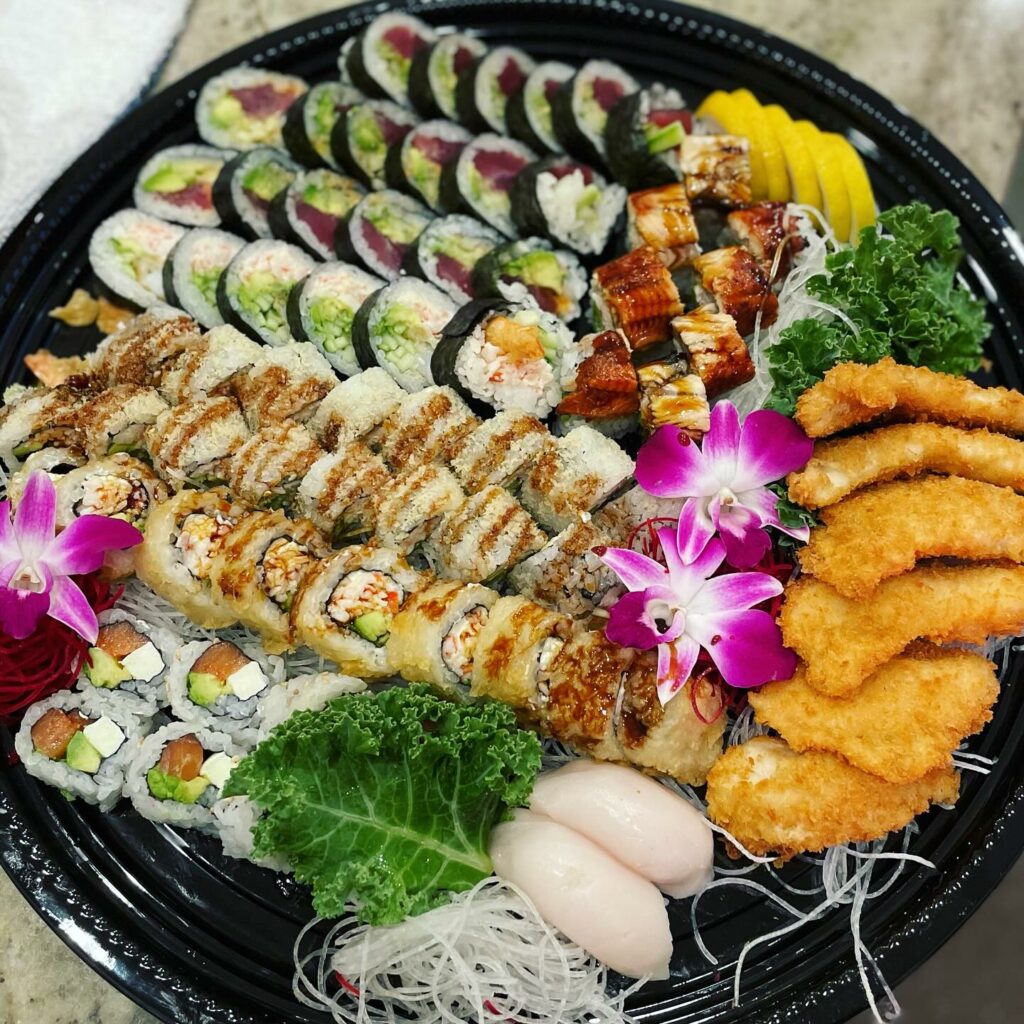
[775,800]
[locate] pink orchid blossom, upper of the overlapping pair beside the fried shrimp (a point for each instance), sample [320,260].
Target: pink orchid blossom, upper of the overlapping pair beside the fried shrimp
[724,483]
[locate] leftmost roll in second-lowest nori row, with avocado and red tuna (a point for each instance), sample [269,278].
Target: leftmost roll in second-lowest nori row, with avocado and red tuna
[177,184]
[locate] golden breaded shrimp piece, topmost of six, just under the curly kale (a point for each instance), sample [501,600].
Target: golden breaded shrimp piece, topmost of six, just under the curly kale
[852,394]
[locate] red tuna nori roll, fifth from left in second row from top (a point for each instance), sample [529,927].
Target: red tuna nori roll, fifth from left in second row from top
[480,182]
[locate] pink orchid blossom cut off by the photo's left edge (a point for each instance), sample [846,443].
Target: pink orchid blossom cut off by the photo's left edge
[36,566]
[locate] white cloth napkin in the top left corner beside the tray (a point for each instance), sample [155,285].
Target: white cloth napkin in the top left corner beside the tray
[68,70]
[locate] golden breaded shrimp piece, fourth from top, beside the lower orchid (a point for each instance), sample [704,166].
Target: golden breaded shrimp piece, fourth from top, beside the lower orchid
[842,642]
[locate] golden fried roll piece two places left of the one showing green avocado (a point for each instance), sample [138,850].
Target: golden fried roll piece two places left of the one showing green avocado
[183,537]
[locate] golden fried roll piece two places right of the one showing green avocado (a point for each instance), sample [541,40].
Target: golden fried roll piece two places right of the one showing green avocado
[515,655]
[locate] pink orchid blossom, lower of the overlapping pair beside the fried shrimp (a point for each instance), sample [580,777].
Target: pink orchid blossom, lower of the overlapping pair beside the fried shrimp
[684,607]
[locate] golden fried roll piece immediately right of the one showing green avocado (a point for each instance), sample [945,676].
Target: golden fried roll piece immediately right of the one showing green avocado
[435,637]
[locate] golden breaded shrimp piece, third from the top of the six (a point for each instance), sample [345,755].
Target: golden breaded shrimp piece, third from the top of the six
[886,530]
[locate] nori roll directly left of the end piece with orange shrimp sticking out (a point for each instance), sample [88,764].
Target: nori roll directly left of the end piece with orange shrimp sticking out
[399,328]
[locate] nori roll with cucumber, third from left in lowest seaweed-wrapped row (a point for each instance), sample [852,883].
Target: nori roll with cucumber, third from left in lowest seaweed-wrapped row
[252,293]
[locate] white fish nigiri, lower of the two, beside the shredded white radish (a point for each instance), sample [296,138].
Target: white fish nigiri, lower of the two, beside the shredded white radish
[600,904]
